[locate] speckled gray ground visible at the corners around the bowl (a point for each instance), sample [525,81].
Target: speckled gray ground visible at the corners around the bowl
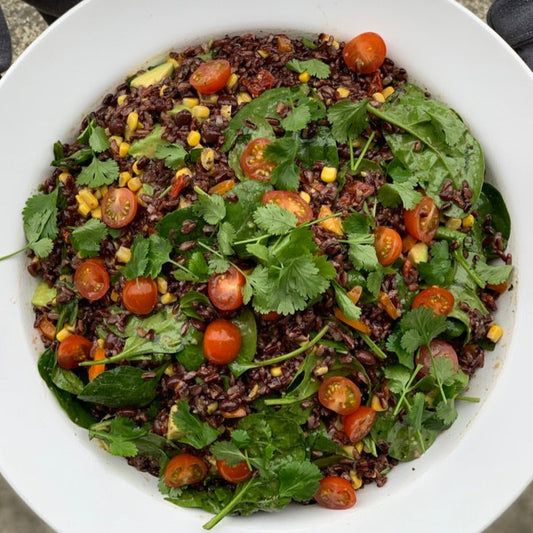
[15,516]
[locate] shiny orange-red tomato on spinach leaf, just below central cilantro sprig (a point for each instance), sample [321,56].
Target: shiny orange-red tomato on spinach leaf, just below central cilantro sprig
[222,342]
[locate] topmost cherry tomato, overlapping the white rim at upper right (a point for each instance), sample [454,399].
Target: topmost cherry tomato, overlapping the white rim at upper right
[365,53]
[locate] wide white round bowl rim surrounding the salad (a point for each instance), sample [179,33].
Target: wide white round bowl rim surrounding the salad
[474,470]
